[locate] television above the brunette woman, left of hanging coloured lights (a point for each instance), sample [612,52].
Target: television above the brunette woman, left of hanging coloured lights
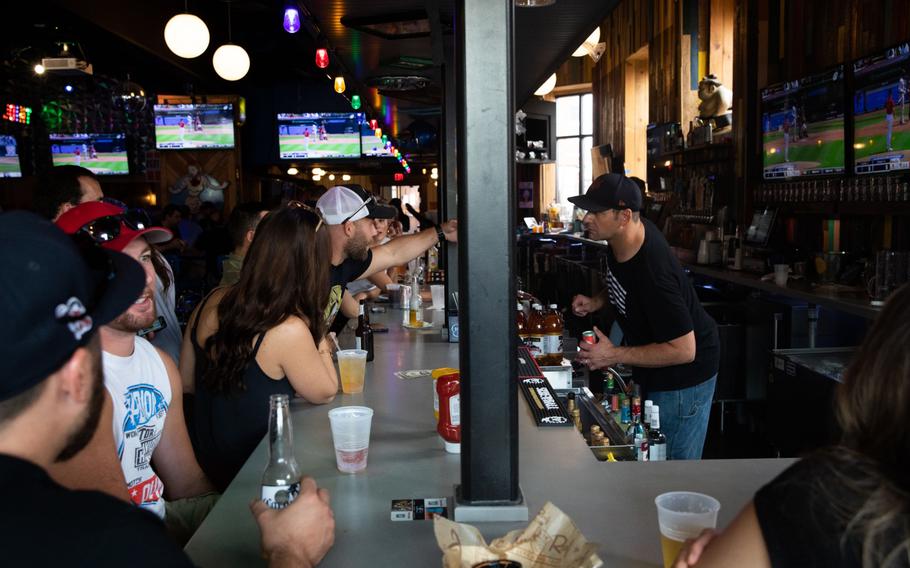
[319,135]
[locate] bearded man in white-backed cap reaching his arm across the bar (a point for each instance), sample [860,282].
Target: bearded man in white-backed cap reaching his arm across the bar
[349,212]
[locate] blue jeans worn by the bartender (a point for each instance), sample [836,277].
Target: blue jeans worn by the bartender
[684,418]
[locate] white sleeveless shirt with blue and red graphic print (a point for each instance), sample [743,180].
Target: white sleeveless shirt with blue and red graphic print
[141,392]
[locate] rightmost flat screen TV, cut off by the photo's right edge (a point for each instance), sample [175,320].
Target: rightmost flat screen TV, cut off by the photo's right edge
[881,111]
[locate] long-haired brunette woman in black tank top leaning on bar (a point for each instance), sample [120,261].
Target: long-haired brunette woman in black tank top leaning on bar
[265,335]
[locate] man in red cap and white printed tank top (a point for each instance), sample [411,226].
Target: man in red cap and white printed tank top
[149,432]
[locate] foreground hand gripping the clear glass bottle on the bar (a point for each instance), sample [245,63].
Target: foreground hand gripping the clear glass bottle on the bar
[301,534]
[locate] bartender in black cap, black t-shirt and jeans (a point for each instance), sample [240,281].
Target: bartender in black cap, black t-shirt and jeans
[670,341]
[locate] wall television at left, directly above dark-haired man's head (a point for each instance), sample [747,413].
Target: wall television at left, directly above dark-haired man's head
[103,154]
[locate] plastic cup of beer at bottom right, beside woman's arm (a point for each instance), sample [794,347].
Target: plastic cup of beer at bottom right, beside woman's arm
[683,515]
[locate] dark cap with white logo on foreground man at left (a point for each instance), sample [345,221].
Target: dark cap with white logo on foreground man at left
[54,295]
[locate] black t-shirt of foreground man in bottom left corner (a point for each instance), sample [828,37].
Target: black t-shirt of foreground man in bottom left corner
[44,524]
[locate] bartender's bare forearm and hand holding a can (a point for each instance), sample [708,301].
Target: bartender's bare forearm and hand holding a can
[602,354]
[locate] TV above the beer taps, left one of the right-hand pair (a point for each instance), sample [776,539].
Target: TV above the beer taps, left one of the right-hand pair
[803,126]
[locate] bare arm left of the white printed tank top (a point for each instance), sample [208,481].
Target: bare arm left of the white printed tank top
[96,466]
